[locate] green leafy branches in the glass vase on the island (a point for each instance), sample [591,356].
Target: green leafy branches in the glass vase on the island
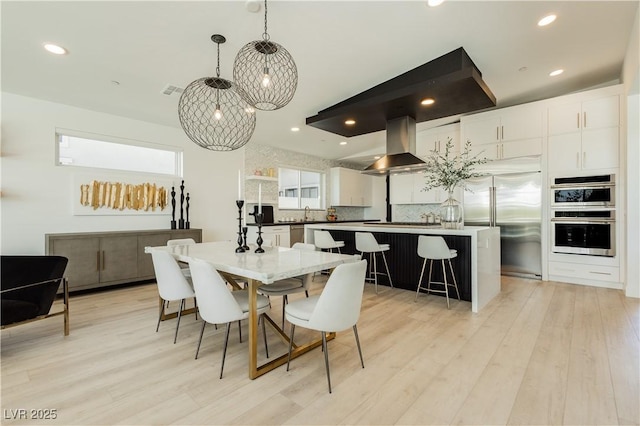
[448,172]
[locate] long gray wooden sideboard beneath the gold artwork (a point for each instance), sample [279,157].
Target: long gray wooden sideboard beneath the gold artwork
[101,259]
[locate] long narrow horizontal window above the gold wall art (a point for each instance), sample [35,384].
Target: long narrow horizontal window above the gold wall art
[74,150]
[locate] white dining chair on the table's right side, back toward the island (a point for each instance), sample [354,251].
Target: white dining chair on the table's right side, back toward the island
[336,309]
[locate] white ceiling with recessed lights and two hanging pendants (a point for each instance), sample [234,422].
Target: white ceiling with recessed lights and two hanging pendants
[340,47]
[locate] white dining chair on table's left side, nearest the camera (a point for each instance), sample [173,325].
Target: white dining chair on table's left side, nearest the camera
[219,305]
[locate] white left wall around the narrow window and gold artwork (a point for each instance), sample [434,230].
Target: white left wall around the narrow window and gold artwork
[37,195]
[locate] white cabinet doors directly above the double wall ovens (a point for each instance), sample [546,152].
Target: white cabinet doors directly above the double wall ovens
[584,135]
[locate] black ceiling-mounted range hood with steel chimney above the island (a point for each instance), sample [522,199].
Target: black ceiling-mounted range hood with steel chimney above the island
[452,80]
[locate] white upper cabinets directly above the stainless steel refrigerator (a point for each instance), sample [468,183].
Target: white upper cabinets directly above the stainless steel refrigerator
[506,133]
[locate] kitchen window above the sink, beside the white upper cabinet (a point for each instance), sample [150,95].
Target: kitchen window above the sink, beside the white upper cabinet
[298,189]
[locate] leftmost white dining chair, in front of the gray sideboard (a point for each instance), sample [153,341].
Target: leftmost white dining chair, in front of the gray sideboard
[172,284]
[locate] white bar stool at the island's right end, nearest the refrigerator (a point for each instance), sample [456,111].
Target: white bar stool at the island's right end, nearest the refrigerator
[435,248]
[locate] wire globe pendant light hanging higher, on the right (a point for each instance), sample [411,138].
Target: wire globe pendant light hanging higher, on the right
[266,72]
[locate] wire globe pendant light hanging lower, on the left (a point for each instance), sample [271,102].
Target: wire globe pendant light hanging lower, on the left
[214,114]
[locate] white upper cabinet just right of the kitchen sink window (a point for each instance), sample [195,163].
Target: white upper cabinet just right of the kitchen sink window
[350,187]
